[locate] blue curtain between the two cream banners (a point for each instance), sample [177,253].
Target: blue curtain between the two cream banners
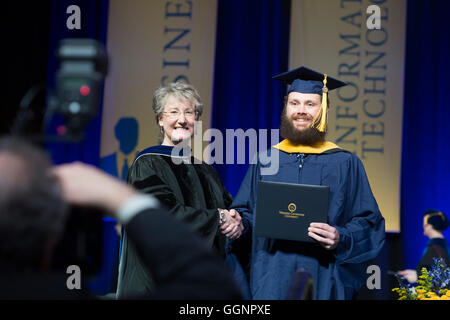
[252,46]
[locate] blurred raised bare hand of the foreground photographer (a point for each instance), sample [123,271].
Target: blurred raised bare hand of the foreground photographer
[84,184]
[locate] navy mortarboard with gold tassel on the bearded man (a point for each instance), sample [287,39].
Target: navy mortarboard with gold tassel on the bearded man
[305,80]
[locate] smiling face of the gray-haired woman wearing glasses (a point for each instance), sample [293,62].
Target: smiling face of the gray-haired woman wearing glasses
[177,120]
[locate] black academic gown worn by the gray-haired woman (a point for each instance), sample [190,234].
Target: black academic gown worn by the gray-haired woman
[191,192]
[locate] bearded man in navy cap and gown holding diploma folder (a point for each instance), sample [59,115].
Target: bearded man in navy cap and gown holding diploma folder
[354,233]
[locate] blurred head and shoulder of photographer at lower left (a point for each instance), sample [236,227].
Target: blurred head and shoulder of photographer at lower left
[32,218]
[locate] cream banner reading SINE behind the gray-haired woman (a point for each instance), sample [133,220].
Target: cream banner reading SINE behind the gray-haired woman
[152,43]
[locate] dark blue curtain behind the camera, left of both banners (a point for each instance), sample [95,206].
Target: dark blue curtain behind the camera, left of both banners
[94,15]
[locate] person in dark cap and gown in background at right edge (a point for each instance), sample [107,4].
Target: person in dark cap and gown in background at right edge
[434,222]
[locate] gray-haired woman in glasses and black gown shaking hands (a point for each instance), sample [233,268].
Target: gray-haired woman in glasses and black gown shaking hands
[190,189]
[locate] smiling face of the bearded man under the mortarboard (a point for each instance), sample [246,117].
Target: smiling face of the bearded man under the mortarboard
[302,108]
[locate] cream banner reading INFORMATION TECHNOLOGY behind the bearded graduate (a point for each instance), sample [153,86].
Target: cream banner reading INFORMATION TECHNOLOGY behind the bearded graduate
[335,37]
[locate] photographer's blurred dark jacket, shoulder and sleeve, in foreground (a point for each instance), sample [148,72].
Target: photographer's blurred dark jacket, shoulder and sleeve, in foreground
[185,269]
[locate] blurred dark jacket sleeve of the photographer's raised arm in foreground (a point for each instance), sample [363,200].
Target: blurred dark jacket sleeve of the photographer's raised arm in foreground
[186,268]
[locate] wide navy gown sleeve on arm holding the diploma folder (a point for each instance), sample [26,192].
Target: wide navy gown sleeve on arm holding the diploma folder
[363,235]
